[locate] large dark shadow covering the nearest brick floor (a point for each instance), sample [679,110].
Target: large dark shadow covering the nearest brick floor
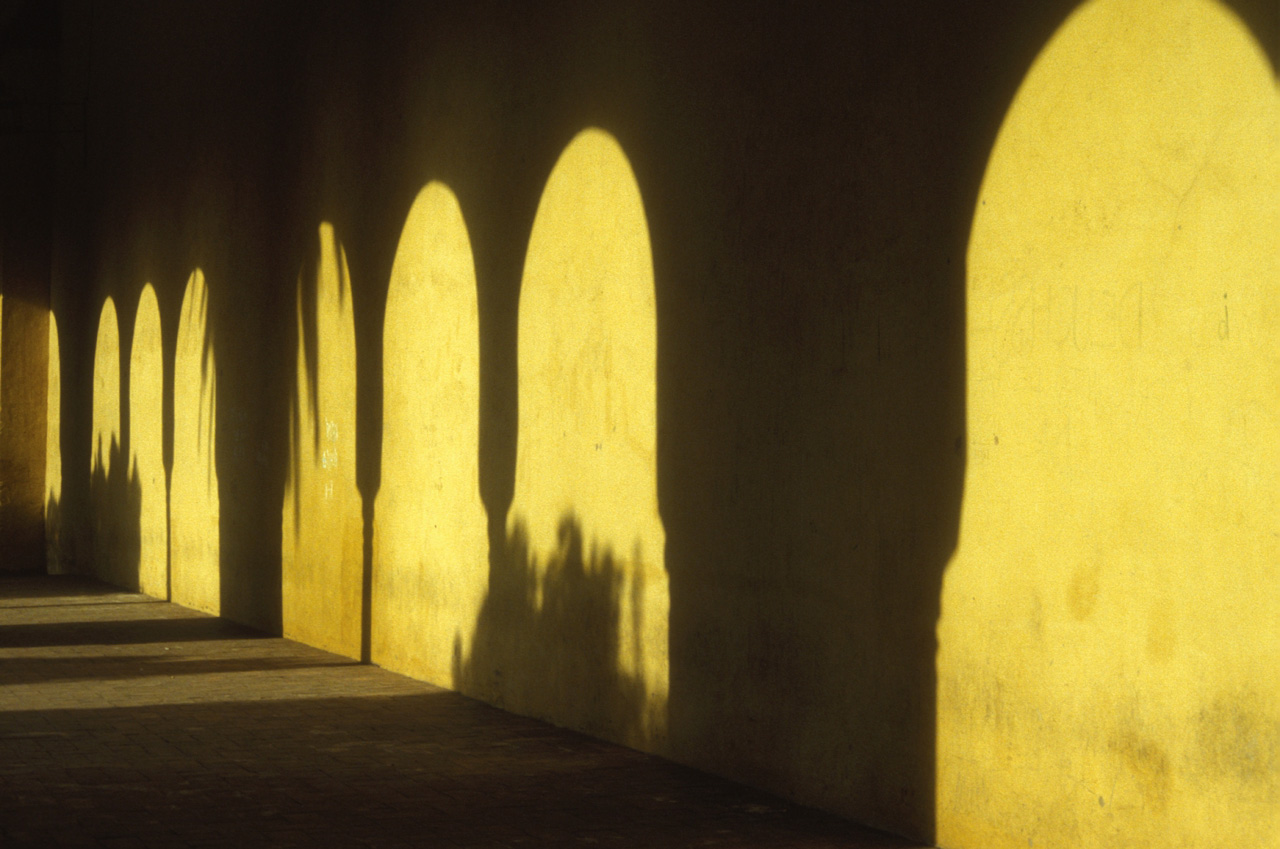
[436,769]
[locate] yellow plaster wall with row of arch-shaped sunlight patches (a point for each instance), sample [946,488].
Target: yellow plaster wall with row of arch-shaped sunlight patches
[641,366]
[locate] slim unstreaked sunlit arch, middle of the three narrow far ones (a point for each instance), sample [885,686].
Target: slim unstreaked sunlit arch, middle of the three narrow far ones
[147,446]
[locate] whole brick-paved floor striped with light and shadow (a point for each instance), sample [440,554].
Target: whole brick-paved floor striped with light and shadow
[131,723]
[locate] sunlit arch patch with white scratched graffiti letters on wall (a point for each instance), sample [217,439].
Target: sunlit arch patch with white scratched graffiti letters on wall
[323,536]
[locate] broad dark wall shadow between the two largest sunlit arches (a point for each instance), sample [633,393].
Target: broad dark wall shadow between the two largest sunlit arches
[812,398]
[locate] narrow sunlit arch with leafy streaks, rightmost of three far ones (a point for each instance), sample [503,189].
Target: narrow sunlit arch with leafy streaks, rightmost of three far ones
[194,512]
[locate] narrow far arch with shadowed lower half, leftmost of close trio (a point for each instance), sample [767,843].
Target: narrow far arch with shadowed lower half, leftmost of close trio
[108,472]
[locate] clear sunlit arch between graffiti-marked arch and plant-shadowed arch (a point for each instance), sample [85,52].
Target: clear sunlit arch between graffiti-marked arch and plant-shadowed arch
[431,537]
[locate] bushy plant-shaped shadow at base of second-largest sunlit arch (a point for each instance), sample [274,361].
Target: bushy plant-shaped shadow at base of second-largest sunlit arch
[546,643]
